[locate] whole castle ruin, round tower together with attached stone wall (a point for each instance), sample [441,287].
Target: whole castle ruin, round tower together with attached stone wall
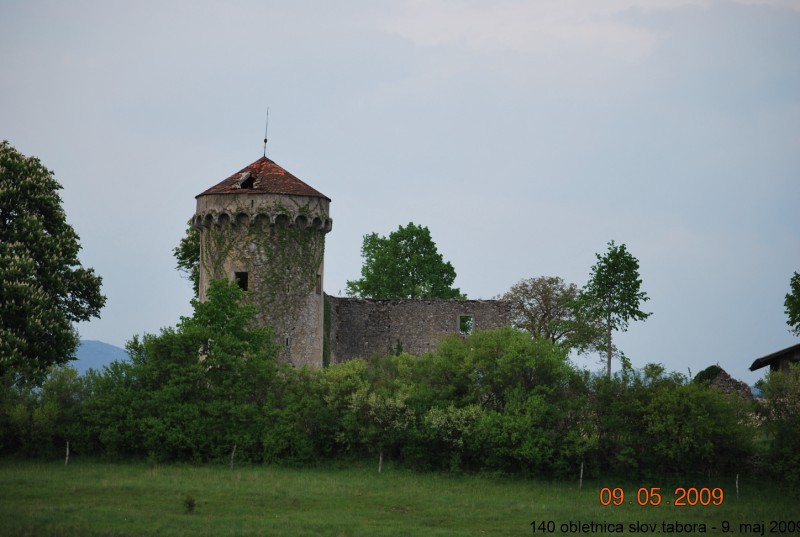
[265,229]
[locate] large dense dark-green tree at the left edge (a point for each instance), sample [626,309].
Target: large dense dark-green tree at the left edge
[44,287]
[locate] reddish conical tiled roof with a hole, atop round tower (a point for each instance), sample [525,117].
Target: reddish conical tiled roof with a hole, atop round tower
[264,177]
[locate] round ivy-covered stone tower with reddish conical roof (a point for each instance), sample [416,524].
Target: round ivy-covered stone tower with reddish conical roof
[265,228]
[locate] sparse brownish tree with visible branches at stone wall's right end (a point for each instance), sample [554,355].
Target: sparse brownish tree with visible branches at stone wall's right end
[547,307]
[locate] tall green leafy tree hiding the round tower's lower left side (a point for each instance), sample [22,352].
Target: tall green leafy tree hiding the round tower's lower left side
[210,377]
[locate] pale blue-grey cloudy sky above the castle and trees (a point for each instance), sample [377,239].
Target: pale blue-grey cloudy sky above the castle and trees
[525,135]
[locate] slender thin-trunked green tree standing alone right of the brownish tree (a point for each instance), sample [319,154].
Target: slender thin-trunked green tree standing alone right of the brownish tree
[613,294]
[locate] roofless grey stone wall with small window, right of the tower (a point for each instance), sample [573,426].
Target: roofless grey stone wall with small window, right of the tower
[365,328]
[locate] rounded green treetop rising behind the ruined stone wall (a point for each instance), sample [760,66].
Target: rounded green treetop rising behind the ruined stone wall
[406,264]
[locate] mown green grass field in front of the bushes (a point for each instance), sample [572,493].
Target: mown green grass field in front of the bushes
[137,499]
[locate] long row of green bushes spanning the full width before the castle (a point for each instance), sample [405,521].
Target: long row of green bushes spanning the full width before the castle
[211,389]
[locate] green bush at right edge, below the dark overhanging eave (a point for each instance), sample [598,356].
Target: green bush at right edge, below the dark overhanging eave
[781,415]
